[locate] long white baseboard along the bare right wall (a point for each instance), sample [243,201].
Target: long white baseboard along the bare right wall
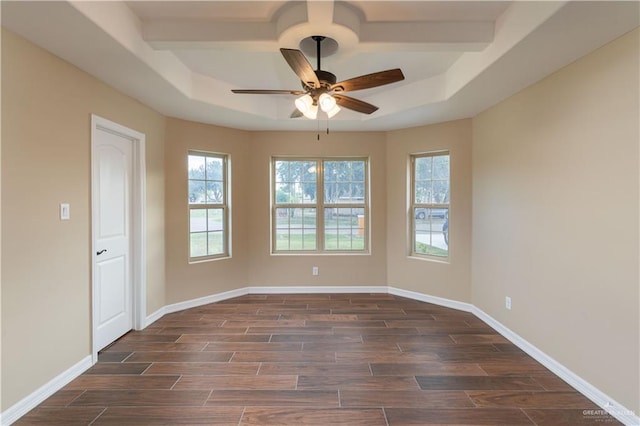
[607,403]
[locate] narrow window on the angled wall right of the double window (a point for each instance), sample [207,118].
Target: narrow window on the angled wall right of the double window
[429,210]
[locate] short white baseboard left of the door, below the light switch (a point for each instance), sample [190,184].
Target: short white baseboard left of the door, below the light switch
[28,403]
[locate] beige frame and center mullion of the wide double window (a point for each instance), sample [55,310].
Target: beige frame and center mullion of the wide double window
[320,206]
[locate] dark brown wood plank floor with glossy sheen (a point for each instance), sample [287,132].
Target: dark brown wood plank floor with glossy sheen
[339,359]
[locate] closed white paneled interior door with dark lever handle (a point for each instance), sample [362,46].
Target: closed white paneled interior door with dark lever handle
[112,186]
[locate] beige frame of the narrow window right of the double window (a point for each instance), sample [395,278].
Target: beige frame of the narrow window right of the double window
[413,206]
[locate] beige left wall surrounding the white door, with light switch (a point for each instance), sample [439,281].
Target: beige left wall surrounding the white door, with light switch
[46,265]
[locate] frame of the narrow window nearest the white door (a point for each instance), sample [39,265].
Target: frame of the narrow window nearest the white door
[224,206]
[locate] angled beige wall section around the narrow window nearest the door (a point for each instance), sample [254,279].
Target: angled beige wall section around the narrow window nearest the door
[191,281]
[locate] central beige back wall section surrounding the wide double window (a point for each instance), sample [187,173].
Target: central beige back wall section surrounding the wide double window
[334,270]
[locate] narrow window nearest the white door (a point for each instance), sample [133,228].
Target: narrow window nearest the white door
[208,206]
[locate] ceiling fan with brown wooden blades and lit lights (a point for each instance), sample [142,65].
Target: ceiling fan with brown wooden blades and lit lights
[319,87]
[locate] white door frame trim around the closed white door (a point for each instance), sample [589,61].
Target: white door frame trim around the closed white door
[138,234]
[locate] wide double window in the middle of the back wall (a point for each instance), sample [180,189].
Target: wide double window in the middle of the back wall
[320,205]
